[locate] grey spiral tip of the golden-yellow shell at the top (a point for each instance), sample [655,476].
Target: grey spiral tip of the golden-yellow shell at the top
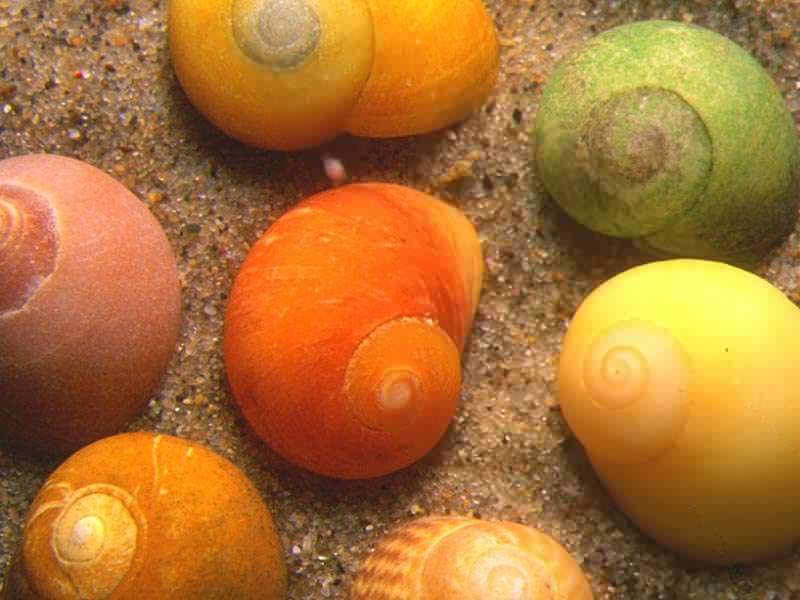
[279,34]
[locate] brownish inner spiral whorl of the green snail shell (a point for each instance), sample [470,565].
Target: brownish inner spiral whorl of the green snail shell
[646,156]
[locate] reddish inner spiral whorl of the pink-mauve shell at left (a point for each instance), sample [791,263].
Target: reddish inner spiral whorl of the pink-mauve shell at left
[28,246]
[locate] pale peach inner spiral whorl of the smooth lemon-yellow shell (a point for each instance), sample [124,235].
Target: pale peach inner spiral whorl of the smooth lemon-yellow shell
[629,402]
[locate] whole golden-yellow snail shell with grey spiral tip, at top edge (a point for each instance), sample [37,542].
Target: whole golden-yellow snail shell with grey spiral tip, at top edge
[288,74]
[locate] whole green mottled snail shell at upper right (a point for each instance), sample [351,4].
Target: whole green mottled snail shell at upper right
[673,135]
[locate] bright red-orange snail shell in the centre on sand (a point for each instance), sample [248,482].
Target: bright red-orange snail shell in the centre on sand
[344,328]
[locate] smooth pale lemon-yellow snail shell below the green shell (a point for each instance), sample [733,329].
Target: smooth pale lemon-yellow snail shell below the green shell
[680,380]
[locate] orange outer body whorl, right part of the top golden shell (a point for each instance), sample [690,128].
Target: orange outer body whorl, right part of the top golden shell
[435,63]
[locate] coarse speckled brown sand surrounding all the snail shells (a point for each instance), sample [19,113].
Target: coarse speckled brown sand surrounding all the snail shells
[93,80]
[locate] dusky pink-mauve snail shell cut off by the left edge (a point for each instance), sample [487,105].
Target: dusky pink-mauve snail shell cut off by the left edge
[89,303]
